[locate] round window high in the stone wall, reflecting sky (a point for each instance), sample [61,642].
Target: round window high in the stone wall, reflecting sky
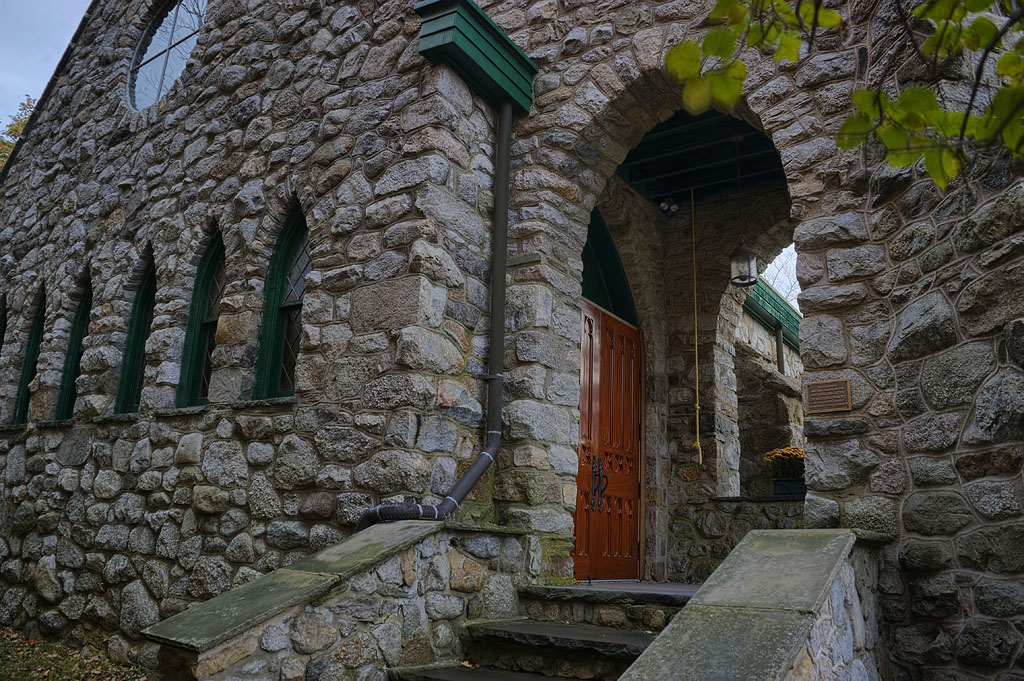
[162,56]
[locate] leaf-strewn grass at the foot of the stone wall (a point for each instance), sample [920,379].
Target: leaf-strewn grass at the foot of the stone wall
[27,659]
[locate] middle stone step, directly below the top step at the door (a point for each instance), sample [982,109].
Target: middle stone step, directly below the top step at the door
[607,642]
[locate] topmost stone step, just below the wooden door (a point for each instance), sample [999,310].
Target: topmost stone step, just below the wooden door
[619,605]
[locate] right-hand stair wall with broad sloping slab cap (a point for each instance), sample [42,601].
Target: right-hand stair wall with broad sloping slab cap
[786,606]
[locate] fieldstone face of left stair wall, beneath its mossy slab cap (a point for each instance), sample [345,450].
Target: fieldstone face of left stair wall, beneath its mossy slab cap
[406,611]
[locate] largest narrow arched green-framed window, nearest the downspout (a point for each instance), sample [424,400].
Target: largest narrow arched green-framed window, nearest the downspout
[282,327]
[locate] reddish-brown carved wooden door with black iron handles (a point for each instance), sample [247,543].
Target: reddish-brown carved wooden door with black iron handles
[608,516]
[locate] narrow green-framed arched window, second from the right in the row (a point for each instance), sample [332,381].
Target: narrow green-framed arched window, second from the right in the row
[197,365]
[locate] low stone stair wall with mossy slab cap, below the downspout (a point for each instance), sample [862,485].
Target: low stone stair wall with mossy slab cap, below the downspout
[392,595]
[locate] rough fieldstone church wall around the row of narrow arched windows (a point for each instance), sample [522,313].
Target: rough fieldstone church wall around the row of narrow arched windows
[113,522]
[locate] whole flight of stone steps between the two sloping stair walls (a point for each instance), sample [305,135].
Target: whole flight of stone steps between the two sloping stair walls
[580,632]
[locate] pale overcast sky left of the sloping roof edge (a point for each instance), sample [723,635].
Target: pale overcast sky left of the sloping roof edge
[35,35]
